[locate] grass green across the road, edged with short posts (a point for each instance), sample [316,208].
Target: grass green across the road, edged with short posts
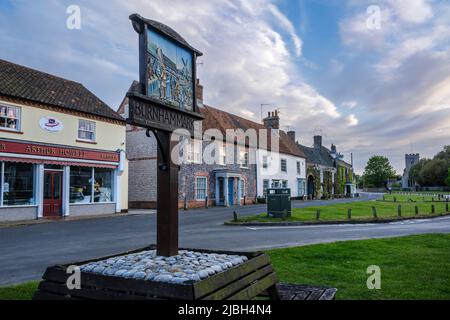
[360,211]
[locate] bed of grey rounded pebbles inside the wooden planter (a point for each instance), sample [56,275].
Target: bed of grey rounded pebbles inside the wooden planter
[186,266]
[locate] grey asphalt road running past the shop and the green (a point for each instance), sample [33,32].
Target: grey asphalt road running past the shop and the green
[26,251]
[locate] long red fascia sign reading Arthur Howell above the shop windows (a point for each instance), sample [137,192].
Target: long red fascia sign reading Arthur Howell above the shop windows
[59,152]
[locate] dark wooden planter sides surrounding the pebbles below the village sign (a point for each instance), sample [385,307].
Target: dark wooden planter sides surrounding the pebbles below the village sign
[242,282]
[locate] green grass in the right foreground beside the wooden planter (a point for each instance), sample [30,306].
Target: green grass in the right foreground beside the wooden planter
[415,267]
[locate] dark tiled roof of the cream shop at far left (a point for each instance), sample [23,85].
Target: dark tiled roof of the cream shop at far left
[23,83]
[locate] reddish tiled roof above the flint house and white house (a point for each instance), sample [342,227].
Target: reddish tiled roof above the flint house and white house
[222,120]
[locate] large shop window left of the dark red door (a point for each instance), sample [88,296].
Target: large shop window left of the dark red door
[18,182]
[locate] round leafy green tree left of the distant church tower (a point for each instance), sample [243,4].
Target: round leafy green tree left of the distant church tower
[378,170]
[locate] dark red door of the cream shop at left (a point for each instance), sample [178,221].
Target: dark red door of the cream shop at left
[52,193]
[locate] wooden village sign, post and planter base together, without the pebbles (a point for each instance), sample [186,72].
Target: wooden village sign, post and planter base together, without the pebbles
[165,101]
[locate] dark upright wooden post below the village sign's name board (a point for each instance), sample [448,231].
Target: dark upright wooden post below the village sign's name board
[167,199]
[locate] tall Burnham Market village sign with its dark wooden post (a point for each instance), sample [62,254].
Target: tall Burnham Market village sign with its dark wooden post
[164,101]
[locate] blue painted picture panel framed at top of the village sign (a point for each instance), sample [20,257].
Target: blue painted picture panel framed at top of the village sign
[169,72]
